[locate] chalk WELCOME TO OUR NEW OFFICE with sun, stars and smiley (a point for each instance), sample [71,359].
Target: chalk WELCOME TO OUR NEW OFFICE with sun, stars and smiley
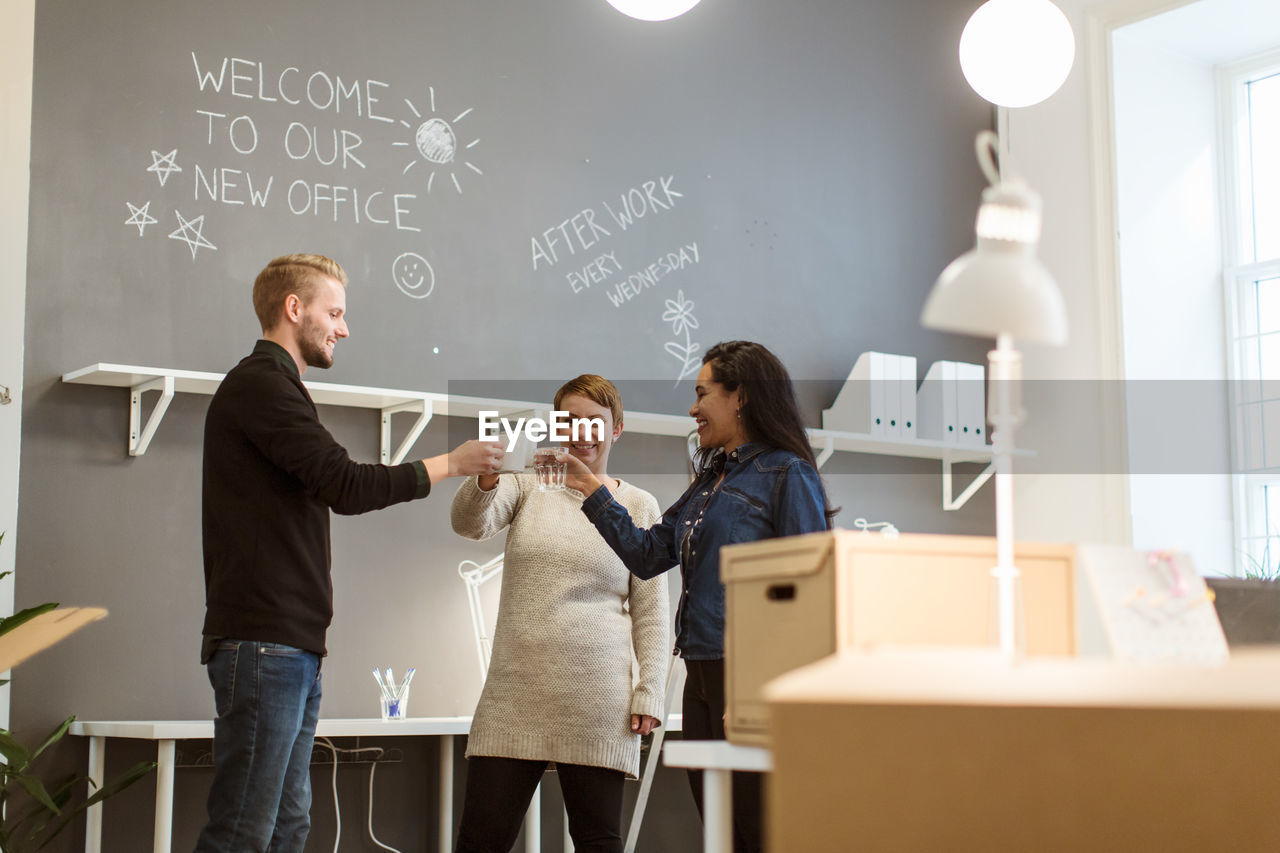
[241,139]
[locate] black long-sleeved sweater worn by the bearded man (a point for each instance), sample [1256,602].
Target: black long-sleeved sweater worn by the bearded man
[272,476]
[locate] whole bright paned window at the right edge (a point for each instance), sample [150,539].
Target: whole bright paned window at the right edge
[1250,98]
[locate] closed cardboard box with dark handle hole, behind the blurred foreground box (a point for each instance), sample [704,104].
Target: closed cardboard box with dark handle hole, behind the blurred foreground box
[793,601]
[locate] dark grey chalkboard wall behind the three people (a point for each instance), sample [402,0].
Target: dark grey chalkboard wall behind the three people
[519,191]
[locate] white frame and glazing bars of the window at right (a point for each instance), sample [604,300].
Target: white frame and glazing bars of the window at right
[1240,275]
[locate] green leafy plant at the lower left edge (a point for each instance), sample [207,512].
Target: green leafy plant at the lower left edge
[34,810]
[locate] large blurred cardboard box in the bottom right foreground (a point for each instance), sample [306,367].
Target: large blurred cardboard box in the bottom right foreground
[950,751]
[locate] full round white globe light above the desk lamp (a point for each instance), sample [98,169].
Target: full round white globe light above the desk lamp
[1017,53]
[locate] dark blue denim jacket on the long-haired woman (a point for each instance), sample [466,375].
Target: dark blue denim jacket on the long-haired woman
[766,494]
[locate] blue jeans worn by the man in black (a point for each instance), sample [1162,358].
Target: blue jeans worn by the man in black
[268,701]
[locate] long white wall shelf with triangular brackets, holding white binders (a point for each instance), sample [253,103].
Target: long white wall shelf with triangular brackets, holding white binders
[426,405]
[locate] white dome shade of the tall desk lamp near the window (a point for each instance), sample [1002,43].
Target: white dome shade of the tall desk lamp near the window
[998,289]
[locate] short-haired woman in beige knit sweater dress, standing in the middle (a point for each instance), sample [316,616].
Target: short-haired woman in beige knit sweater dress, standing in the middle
[563,683]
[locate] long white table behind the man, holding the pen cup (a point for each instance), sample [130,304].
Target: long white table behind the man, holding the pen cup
[167,733]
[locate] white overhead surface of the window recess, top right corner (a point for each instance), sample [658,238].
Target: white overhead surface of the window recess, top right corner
[1214,31]
